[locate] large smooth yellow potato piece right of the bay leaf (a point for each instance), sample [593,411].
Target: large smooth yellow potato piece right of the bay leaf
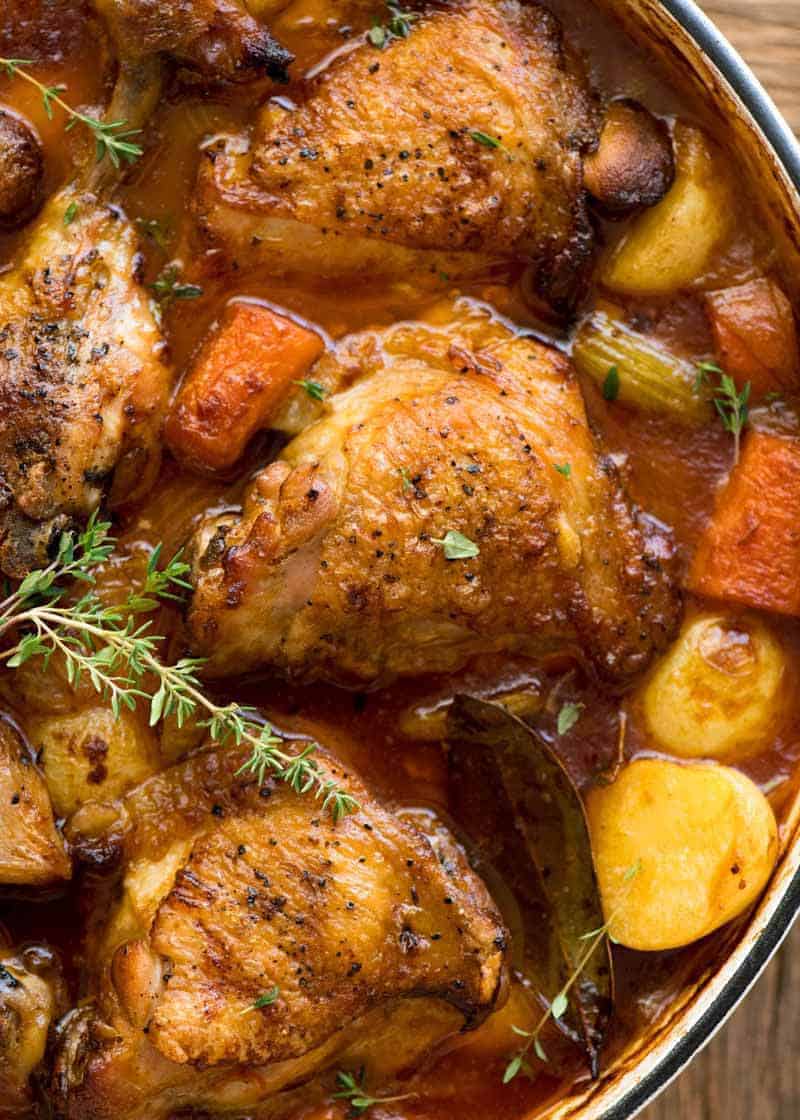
[681,850]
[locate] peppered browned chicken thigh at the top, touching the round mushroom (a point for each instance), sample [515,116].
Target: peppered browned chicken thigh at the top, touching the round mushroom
[388,166]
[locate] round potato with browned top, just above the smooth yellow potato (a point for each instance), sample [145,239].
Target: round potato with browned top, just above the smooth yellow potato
[718,694]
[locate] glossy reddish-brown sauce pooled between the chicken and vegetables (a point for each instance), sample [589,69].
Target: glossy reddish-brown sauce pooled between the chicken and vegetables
[672,471]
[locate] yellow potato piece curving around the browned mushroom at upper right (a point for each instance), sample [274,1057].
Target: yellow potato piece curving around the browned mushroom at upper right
[671,246]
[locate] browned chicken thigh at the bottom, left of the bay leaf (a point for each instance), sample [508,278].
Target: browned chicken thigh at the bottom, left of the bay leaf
[379,948]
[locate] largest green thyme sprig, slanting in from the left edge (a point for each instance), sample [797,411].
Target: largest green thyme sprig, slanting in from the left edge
[110,646]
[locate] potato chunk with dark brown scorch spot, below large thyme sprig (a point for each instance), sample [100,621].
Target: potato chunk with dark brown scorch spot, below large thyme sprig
[92,755]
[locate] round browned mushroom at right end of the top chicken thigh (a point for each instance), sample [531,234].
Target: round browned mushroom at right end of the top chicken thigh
[634,165]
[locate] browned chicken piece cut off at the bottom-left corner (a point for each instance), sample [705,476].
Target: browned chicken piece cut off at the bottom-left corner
[32,996]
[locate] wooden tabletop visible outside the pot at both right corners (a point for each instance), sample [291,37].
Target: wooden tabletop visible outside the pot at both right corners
[751,1071]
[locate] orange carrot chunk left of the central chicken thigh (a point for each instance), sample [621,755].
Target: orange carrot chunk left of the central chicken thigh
[243,374]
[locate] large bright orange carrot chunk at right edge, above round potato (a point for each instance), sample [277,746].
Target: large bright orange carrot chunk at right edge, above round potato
[750,553]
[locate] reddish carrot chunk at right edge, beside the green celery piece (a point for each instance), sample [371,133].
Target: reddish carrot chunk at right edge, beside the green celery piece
[755,335]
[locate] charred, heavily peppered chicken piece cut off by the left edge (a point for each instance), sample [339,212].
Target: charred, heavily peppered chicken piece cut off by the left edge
[83,387]
